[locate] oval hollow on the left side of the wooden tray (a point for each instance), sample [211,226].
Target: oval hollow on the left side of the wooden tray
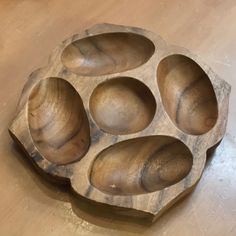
[57,121]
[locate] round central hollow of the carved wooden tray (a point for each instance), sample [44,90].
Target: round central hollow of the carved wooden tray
[122,105]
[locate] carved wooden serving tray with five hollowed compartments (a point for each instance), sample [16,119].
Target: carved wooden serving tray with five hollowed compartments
[123,117]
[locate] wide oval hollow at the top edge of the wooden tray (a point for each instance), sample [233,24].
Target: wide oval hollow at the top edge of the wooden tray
[107,53]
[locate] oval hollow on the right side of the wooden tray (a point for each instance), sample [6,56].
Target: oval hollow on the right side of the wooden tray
[187,94]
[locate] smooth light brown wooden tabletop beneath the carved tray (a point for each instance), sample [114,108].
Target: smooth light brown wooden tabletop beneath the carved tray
[29,30]
